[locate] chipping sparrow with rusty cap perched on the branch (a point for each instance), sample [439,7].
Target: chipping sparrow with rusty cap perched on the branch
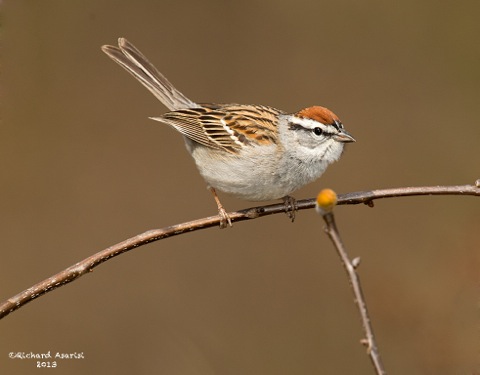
[253,152]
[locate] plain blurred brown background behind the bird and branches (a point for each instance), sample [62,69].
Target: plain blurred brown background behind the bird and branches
[83,168]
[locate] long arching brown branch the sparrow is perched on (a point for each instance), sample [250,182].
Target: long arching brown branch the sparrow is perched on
[87,265]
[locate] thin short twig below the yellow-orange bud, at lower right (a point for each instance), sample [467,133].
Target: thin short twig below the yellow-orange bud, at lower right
[350,267]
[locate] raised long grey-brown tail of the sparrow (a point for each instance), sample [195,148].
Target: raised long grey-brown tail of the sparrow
[133,61]
